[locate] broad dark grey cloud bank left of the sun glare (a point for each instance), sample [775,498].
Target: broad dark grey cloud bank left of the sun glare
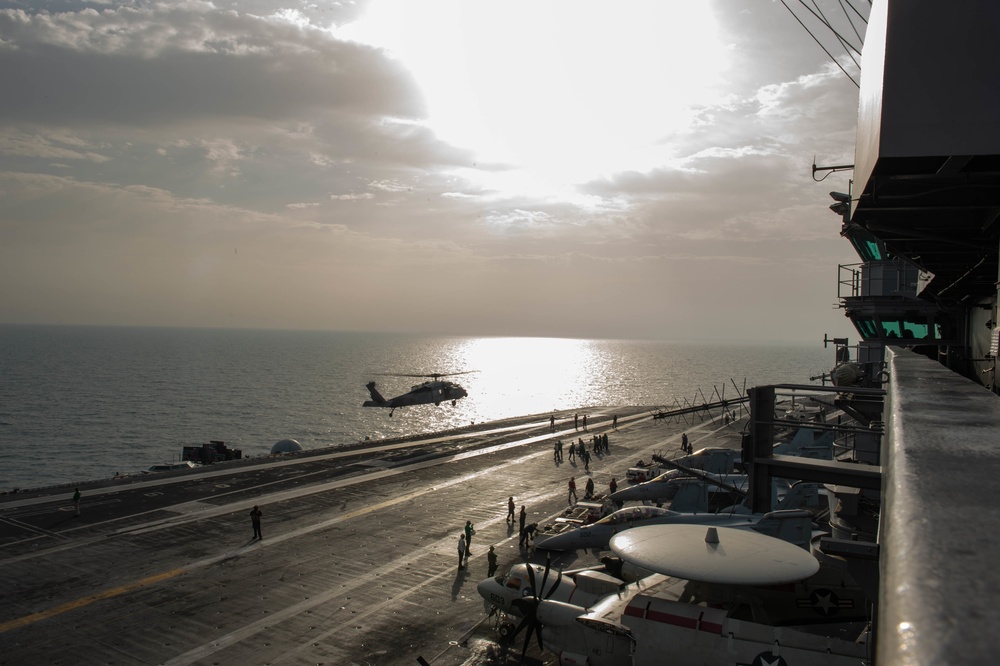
[125,68]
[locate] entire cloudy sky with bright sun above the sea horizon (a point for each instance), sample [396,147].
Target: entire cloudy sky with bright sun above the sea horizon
[555,168]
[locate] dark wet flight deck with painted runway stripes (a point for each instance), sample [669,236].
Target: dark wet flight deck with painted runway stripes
[357,565]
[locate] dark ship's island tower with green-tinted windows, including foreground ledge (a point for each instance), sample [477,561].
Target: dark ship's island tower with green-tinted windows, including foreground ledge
[923,213]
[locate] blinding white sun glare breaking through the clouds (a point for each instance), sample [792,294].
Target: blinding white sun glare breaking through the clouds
[565,89]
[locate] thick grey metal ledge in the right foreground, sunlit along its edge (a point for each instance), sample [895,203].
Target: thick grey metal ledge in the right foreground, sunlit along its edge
[939,526]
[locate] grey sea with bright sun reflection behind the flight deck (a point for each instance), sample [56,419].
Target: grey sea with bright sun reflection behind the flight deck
[85,403]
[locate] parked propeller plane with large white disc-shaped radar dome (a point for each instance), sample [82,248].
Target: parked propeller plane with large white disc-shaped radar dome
[716,595]
